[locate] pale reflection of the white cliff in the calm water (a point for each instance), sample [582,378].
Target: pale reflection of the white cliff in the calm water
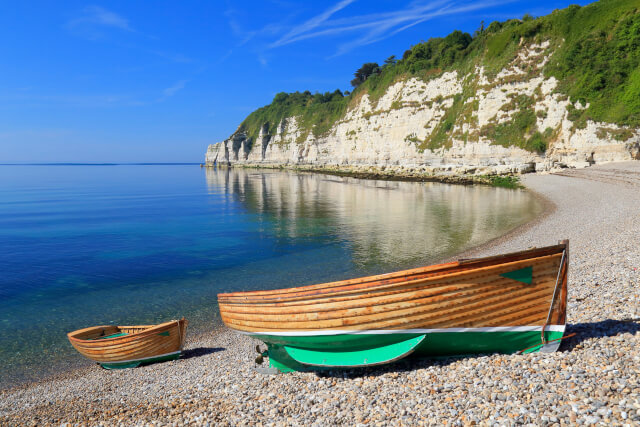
[382,222]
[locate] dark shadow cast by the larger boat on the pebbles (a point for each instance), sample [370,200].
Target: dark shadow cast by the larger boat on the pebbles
[583,332]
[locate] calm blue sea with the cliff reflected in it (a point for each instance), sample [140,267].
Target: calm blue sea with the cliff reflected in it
[124,244]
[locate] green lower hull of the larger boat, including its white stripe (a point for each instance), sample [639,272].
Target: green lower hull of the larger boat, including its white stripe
[317,351]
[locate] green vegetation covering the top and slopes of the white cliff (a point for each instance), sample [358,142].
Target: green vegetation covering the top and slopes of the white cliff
[595,57]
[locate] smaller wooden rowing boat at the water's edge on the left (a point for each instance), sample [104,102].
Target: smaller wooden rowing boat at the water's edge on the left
[117,347]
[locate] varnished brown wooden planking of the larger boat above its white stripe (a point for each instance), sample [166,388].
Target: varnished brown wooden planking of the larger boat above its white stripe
[464,294]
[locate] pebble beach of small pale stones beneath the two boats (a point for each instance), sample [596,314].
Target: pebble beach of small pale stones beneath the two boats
[594,378]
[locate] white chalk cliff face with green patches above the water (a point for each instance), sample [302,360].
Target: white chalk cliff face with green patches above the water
[401,128]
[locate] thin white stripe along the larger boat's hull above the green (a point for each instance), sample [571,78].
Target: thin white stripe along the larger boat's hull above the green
[549,328]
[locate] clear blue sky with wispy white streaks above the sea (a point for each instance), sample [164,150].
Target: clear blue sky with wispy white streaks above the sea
[157,81]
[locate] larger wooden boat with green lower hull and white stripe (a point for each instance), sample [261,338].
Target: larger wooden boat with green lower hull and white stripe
[505,303]
